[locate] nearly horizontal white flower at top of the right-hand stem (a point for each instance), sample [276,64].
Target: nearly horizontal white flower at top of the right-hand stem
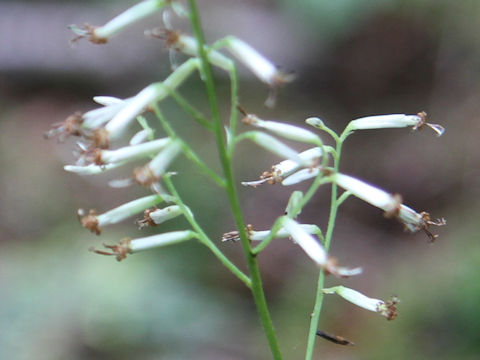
[417,121]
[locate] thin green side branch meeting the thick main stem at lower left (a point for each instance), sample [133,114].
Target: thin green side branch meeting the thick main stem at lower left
[203,237]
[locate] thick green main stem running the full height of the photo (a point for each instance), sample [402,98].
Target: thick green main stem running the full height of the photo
[257,288]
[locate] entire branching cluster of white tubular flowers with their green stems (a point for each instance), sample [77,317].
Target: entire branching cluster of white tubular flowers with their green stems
[106,142]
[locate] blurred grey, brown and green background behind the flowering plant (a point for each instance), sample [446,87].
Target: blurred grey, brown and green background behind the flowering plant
[351,58]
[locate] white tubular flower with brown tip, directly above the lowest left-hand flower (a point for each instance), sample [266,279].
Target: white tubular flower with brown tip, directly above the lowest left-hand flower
[95,222]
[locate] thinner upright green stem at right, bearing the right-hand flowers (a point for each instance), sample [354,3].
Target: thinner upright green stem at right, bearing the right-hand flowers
[334,204]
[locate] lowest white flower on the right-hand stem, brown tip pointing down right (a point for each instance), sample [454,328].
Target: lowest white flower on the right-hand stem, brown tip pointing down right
[385,308]
